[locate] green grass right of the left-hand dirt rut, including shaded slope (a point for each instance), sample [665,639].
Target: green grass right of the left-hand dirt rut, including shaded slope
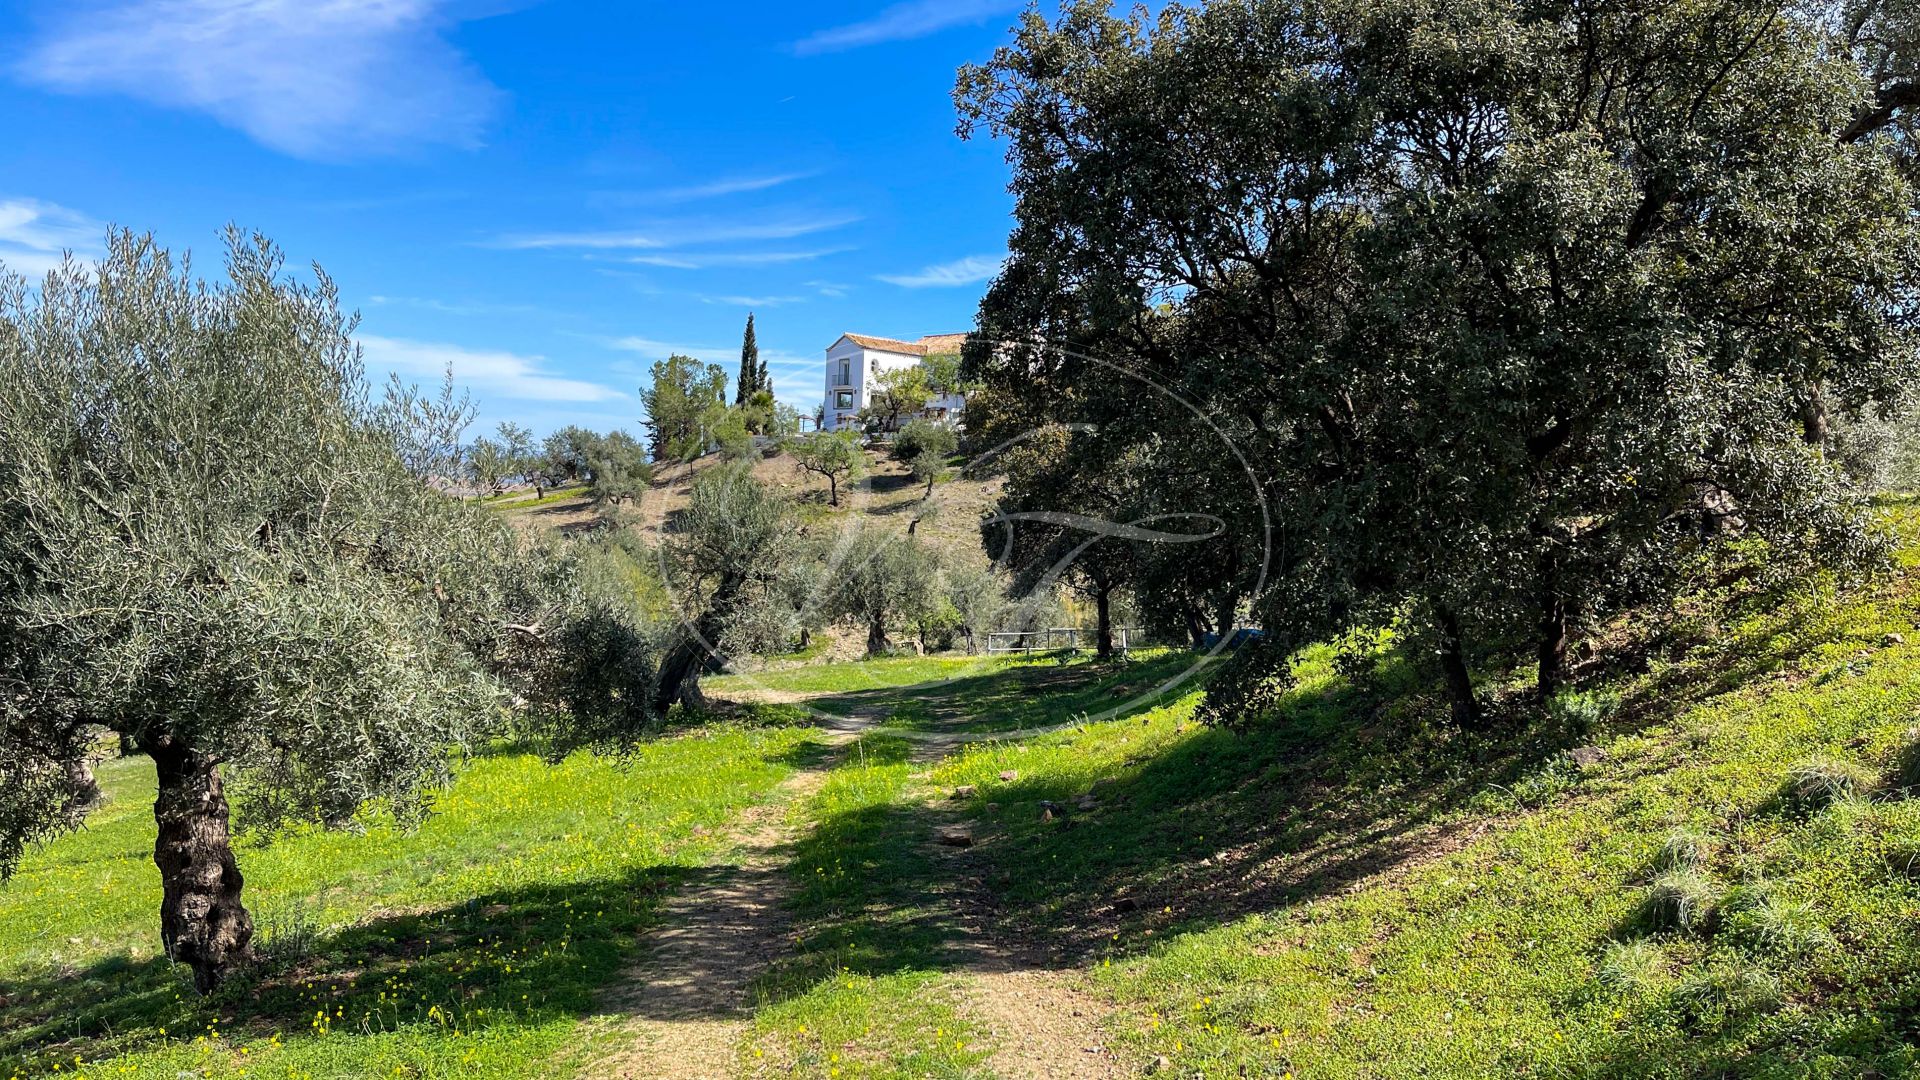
[1353,889]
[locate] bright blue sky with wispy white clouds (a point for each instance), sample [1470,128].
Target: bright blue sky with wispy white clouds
[548,195]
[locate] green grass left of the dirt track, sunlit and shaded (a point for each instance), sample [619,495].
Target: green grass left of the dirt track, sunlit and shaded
[473,946]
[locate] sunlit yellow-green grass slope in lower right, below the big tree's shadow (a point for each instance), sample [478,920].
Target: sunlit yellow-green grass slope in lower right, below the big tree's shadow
[1504,956]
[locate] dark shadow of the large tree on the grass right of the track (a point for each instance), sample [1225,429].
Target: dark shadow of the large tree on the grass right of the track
[1337,787]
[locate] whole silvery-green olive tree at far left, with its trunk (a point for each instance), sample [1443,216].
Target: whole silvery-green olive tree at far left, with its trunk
[216,549]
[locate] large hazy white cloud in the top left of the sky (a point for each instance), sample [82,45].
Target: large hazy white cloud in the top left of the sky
[308,78]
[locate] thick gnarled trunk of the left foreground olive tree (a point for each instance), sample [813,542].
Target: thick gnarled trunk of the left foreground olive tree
[203,921]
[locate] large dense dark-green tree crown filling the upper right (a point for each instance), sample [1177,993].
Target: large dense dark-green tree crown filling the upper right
[1516,308]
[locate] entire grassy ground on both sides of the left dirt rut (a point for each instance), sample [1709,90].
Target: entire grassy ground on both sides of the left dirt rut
[1710,866]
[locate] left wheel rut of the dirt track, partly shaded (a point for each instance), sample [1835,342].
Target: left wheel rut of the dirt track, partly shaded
[686,998]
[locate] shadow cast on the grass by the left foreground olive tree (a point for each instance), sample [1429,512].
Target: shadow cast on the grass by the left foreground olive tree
[506,960]
